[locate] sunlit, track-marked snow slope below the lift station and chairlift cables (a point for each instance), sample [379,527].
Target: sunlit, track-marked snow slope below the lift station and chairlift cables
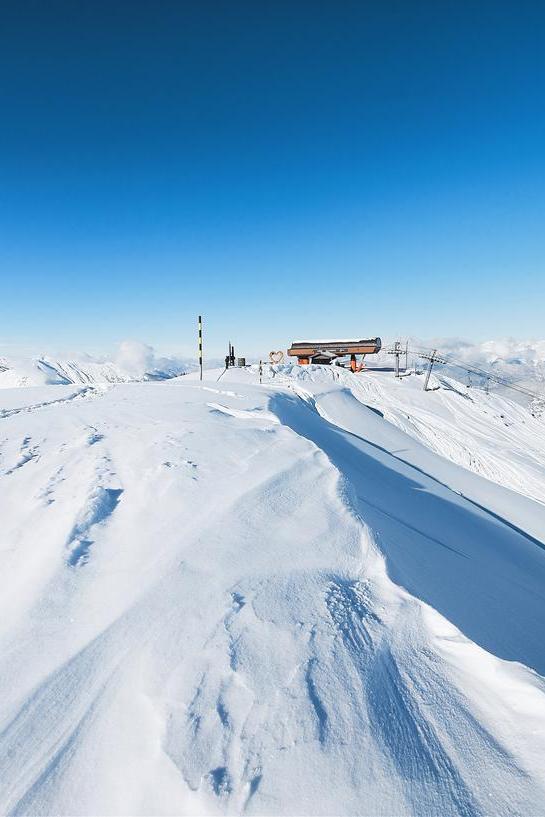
[486,433]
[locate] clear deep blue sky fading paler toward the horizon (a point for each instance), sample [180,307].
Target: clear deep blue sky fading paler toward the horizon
[286,168]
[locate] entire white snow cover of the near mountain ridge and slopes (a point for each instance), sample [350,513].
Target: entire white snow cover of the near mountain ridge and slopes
[322,594]
